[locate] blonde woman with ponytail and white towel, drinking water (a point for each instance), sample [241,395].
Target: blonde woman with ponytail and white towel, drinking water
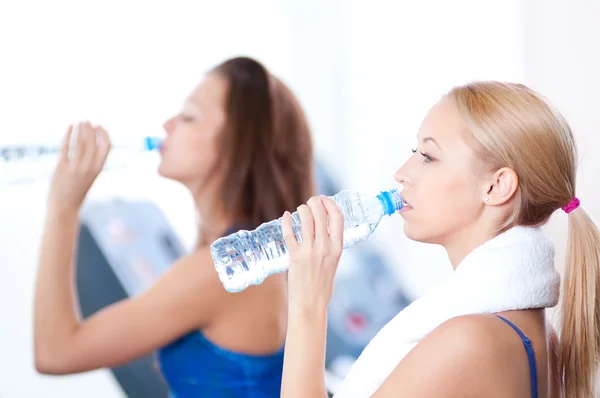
[493,162]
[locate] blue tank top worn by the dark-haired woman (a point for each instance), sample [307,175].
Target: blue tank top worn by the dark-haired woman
[193,366]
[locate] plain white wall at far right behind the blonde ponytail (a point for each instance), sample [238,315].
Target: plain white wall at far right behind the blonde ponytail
[562,61]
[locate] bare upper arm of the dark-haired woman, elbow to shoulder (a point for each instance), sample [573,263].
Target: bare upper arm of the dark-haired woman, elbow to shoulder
[185,298]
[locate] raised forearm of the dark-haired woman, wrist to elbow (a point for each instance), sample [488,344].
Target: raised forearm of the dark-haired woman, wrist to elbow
[55,313]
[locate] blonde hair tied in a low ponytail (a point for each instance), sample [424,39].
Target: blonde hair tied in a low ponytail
[510,125]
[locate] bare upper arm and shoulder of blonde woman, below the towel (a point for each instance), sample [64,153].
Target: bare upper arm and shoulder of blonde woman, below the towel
[455,360]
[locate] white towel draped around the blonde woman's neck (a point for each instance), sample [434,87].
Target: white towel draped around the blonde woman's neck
[513,271]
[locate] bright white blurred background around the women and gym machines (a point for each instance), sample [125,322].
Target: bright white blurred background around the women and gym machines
[366,73]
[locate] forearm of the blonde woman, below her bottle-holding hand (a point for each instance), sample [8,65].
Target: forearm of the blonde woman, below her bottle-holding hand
[304,360]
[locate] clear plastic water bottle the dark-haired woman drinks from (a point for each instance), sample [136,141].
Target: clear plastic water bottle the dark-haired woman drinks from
[21,164]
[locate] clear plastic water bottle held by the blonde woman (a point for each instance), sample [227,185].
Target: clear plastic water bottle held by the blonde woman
[247,257]
